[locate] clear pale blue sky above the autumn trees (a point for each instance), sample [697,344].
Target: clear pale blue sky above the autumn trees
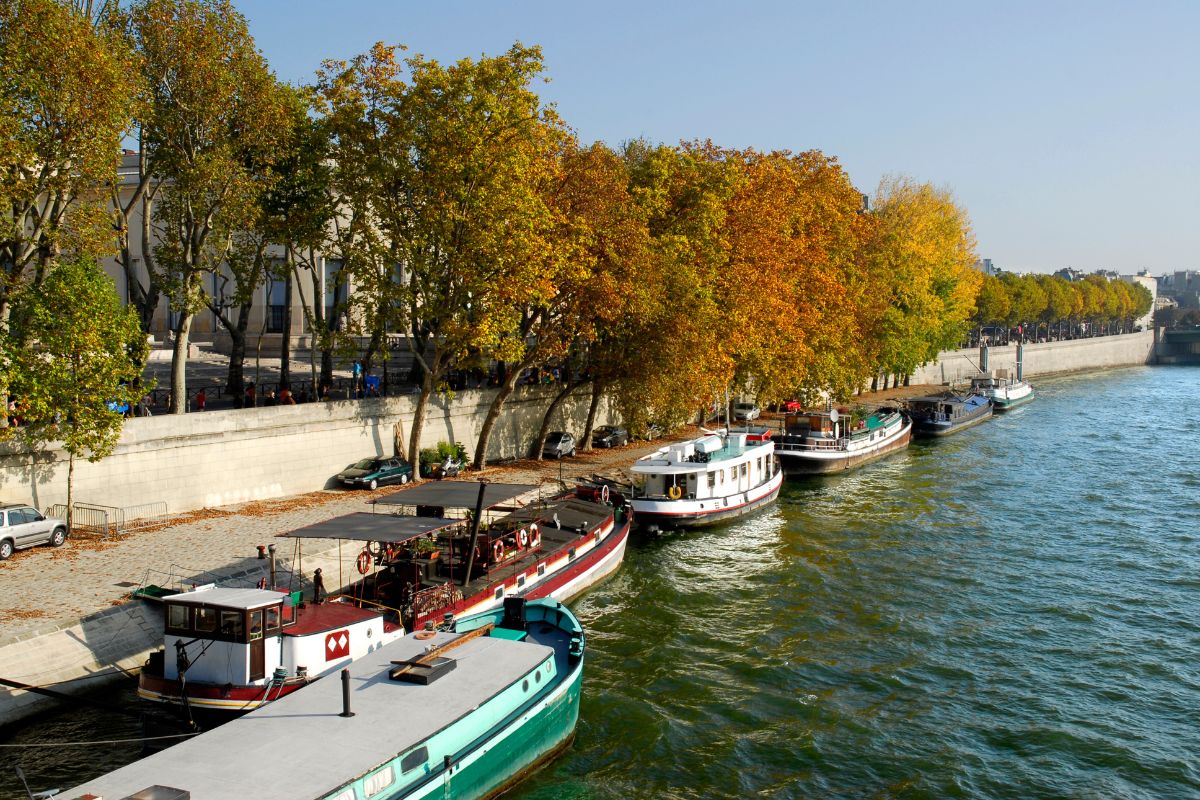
[1069,131]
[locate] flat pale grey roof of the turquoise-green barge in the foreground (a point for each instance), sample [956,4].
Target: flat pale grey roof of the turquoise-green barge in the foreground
[301,747]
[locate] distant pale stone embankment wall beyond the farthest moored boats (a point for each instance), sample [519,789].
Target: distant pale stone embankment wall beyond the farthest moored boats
[1045,359]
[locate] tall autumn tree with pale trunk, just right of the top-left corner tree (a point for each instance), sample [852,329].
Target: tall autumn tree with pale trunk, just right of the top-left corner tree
[214,121]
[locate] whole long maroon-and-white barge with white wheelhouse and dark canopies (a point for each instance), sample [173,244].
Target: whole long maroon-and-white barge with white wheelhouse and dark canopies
[413,569]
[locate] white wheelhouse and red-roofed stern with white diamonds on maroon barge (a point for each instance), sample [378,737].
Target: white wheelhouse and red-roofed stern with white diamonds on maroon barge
[237,649]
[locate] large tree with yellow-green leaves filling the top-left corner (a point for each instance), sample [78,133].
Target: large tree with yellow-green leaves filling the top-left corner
[64,104]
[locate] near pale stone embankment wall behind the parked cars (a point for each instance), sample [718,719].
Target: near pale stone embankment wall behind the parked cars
[218,459]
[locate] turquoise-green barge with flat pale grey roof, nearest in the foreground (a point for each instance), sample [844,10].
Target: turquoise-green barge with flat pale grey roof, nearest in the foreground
[463,713]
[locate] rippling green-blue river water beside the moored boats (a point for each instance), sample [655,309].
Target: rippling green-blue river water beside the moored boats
[1012,612]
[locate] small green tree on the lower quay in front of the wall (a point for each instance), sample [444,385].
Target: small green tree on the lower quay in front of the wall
[77,359]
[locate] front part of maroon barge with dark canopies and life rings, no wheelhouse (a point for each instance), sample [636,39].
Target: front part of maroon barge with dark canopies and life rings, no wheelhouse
[425,566]
